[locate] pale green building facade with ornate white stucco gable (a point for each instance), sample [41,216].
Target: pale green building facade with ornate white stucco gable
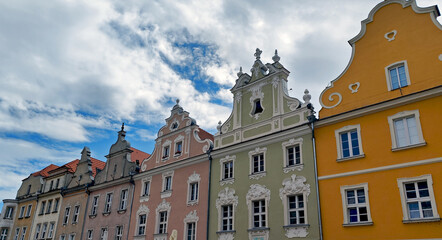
[262,183]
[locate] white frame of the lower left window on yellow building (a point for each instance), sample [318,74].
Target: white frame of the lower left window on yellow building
[346,206]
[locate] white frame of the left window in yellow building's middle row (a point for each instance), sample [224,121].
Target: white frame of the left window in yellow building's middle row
[348,129]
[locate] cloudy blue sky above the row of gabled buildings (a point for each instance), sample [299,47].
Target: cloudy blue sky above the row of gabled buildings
[72,71]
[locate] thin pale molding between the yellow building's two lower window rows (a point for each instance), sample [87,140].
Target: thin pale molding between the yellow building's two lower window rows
[383,168]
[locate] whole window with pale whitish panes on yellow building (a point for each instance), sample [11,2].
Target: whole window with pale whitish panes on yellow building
[405,130]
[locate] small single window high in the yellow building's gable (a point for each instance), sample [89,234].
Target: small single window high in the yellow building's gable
[397,75]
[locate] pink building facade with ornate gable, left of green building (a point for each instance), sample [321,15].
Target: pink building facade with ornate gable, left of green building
[171,191]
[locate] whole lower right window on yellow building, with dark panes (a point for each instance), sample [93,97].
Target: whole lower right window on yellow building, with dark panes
[417,198]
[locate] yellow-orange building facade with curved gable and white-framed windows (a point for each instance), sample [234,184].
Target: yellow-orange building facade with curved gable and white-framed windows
[378,138]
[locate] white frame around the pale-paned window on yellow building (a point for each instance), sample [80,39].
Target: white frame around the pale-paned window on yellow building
[403,115]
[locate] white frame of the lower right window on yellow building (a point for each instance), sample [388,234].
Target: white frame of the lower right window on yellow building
[405,214]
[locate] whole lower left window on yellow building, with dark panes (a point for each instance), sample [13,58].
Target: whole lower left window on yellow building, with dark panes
[356,207]
